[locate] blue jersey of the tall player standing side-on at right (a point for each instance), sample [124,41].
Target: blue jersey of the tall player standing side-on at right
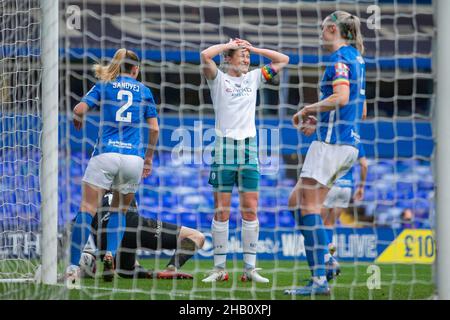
[346,67]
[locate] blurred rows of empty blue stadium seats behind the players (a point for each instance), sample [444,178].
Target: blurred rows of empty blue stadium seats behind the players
[180,194]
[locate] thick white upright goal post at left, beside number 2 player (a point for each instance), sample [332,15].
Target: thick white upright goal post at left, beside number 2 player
[49,141]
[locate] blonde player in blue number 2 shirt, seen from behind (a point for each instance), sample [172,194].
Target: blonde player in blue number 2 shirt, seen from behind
[119,160]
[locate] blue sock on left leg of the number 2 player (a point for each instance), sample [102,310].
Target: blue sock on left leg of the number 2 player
[80,233]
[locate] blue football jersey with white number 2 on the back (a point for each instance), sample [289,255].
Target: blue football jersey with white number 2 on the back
[124,104]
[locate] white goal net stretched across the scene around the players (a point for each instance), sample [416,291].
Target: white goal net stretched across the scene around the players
[385,242]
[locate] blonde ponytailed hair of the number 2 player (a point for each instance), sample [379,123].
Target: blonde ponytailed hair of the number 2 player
[122,61]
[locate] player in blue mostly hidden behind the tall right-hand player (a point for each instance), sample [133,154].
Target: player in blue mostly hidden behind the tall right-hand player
[338,199]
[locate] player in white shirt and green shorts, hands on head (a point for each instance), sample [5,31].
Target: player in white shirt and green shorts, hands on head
[235,156]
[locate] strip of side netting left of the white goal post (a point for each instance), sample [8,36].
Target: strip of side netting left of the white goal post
[20,128]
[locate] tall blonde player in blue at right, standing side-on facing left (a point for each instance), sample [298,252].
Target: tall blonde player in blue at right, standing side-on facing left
[334,118]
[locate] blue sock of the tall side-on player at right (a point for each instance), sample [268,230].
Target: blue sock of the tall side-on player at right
[316,244]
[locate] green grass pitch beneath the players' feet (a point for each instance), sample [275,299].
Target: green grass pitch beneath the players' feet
[397,282]
